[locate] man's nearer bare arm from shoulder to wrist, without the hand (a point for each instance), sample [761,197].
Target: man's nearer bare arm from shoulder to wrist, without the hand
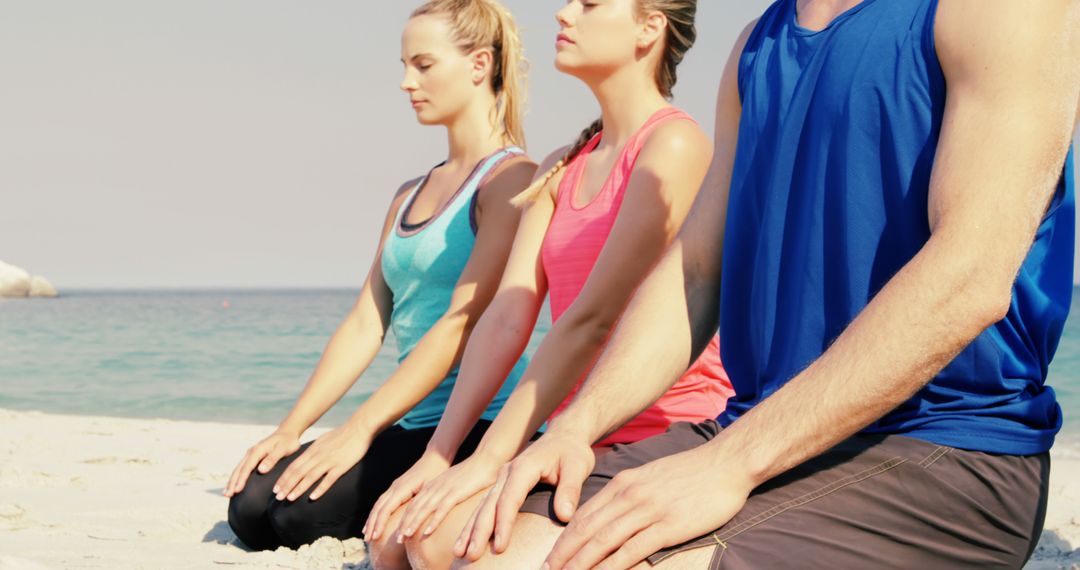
[1014,74]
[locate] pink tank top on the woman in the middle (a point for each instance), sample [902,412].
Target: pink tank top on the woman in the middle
[571,249]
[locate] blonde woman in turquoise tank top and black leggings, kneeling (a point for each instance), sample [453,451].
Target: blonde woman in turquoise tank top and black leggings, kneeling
[443,249]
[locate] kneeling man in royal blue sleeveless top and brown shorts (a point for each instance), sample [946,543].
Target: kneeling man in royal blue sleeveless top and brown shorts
[898,227]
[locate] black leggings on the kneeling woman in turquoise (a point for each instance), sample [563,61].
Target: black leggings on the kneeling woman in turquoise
[263,523]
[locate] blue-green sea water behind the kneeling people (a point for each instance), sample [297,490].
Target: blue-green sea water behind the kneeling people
[227,356]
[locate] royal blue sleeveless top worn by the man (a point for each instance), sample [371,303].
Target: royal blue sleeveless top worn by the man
[830,200]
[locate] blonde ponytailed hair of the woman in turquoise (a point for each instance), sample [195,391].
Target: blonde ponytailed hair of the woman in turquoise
[479,24]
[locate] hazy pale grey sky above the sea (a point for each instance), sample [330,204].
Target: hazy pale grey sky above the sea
[240,143]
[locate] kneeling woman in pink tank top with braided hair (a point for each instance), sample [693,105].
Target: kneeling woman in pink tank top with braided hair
[597,221]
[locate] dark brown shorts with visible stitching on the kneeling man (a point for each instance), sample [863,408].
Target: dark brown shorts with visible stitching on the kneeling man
[870,503]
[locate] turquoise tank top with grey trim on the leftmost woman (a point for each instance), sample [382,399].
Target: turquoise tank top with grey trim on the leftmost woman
[422,265]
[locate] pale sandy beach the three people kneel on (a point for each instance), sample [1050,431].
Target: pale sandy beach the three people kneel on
[125,494]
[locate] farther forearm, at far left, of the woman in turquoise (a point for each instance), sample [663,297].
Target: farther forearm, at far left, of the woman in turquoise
[349,352]
